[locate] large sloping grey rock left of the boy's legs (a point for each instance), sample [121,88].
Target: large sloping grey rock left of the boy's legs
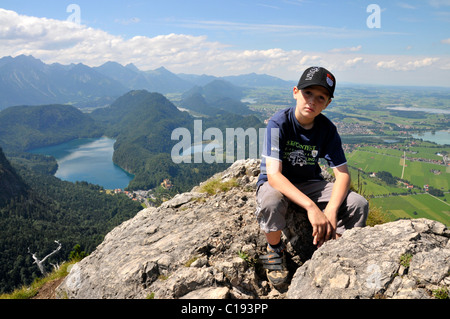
[194,245]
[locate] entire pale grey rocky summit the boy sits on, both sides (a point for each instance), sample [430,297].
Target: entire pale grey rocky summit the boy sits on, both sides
[200,245]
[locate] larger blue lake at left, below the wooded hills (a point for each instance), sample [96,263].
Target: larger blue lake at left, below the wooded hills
[88,160]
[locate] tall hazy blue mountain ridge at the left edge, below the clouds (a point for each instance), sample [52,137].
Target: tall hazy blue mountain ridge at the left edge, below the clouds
[26,80]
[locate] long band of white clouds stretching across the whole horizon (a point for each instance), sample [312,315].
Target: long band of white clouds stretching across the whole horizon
[64,42]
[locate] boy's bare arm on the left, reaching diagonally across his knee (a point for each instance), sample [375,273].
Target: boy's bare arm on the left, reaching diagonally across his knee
[322,228]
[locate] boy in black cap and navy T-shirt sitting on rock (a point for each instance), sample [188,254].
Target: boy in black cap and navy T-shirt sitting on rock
[295,139]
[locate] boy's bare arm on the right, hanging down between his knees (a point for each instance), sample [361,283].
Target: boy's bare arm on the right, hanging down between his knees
[339,192]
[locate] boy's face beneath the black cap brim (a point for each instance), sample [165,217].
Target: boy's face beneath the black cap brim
[311,101]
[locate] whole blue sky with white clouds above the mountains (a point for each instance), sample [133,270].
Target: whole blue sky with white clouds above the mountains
[411,46]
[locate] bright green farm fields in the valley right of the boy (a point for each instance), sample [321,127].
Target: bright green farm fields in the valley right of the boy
[397,200]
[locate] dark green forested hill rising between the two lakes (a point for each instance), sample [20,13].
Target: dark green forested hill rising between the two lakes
[143,122]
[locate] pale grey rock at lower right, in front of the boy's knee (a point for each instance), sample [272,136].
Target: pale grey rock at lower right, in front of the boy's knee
[403,259]
